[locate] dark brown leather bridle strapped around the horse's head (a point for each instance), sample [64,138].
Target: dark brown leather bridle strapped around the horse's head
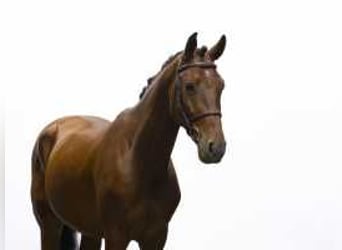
[189,119]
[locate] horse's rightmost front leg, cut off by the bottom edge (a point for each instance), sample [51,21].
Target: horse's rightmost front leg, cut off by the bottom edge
[154,240]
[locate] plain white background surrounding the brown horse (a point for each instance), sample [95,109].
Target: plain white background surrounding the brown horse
[280,185]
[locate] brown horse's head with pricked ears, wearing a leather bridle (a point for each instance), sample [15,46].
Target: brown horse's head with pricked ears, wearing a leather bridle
[196,98]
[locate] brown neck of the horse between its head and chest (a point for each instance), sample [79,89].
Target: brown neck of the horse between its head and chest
[157,130]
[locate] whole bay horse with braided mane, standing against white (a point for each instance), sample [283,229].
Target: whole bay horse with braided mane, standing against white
[115,180]
